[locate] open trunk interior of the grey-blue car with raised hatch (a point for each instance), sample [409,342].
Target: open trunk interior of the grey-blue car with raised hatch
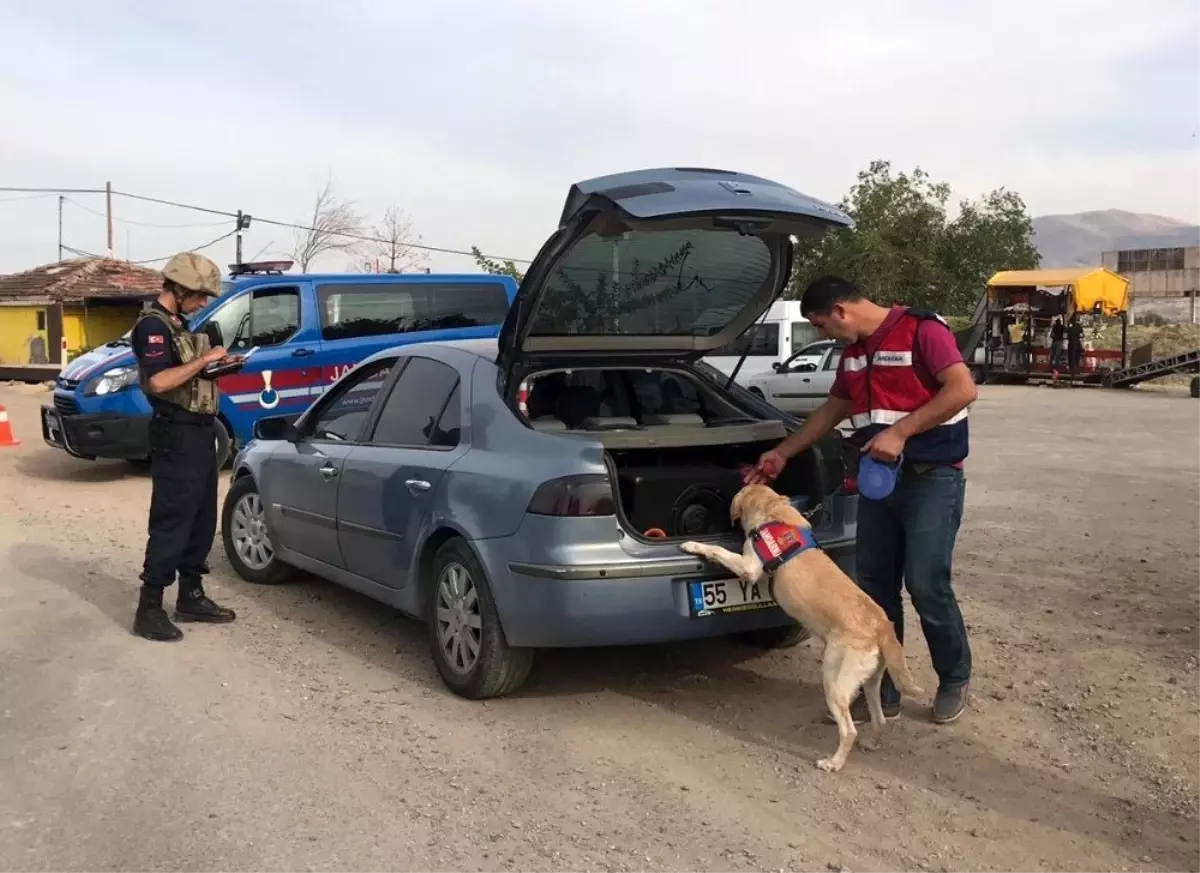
[676,447]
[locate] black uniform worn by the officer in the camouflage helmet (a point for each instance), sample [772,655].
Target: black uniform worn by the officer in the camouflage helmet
[184,499]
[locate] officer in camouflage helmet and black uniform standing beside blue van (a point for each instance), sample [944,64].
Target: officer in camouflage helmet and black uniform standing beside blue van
[183,453]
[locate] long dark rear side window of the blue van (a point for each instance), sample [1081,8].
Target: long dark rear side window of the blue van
[351,311]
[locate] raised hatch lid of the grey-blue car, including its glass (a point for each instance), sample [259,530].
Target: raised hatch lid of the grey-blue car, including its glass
[663,262]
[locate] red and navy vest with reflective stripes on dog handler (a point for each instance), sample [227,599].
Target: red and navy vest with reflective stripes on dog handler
[885,388]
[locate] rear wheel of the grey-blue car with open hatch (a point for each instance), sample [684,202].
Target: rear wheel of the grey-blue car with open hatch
[465,631]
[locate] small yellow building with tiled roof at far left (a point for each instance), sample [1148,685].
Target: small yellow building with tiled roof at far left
[55,312]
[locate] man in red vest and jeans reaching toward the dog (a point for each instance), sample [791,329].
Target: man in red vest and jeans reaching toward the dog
[904,387]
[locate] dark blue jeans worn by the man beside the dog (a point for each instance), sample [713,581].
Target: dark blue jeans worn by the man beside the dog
[909,537]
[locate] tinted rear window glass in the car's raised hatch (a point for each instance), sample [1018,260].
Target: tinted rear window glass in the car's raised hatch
[643,284]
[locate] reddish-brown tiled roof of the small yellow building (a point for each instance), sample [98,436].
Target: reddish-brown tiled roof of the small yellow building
[82,279]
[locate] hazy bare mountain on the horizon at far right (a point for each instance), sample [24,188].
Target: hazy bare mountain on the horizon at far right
[1078,239]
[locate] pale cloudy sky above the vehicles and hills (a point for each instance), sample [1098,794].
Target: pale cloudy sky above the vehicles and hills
[476,117]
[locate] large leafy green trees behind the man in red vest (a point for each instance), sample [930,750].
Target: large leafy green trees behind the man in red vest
[904,248]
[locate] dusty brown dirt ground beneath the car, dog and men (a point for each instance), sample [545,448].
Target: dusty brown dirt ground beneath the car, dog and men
[314,734]
